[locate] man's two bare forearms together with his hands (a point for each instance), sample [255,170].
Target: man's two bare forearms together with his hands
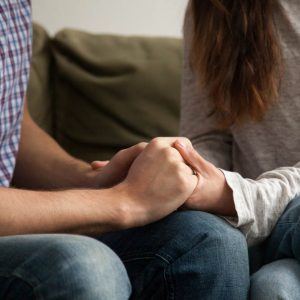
[74,203]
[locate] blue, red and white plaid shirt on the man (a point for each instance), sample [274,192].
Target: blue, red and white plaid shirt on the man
[15,52]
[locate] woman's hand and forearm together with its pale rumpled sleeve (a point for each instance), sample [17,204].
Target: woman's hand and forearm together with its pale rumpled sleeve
[254,206]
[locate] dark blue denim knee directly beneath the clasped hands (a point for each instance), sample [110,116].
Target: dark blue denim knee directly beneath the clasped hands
[184,256]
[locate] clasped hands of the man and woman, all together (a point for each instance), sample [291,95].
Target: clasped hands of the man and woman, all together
[165,175]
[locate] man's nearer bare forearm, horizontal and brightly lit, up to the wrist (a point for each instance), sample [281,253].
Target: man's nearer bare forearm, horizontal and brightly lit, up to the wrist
[74,211]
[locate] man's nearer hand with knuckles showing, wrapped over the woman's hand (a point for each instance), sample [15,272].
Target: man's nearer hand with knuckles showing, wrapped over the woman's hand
[158,183]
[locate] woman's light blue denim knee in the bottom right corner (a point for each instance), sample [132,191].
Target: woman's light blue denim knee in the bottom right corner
[277,280]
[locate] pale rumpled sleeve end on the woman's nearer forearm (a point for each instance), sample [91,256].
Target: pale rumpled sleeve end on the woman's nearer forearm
[259,203]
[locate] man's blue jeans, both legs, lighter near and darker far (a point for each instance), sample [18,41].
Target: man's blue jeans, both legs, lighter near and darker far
[188,255]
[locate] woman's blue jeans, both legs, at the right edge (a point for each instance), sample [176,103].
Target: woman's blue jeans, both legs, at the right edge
[279,277]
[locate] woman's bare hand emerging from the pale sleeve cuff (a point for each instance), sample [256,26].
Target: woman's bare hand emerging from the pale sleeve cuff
[212,193]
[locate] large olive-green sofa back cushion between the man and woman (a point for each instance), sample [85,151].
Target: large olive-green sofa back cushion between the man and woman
[112,92]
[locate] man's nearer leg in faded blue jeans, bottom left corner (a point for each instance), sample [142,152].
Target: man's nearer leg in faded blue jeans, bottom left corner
[60,267]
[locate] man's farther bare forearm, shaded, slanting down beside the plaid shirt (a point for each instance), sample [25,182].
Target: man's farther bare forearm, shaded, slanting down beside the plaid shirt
[43,164]
